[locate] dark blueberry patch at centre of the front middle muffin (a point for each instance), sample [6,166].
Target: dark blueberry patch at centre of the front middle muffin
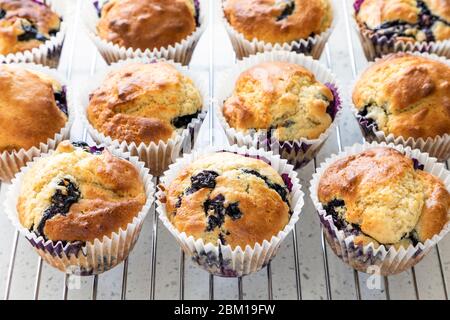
[216,211]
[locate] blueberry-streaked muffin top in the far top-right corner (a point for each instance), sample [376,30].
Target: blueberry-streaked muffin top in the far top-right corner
[406,20]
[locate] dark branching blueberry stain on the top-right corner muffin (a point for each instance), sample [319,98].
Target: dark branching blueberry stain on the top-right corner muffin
[398,28]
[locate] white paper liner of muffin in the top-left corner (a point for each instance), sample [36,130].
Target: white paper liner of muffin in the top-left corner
[49,52]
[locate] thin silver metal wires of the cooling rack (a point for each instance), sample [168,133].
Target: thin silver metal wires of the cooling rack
[182,259]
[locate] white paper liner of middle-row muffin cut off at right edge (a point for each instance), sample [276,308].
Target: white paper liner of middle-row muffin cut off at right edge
[438,147]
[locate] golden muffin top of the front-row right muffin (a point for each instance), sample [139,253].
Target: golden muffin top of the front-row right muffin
[382,196]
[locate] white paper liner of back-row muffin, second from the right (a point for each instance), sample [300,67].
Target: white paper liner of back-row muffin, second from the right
[312,46]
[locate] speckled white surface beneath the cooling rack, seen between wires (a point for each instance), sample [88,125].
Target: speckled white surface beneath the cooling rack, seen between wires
[79,60]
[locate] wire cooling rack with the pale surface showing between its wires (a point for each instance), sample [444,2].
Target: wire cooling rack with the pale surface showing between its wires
[305,267]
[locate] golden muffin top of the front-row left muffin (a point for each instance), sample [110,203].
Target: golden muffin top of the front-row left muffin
[79,194]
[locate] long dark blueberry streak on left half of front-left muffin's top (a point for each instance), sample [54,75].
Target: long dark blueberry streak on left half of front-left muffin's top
[60,203]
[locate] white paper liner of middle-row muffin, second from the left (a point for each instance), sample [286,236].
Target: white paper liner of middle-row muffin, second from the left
[157,156]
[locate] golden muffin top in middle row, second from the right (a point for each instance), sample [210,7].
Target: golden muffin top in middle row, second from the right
[279,96]
